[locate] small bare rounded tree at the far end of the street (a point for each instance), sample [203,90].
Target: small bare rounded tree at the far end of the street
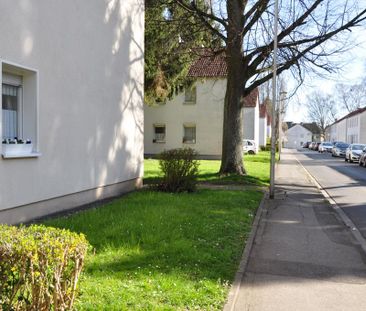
[321,110]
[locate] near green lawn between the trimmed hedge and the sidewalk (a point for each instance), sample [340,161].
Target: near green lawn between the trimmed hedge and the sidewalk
[160,251]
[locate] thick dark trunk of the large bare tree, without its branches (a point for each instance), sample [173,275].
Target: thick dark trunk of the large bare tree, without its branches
[232,140]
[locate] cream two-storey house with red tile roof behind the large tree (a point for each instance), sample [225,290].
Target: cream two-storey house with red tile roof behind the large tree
[194,117]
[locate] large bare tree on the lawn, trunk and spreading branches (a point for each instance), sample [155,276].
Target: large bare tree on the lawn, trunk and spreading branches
[246,30]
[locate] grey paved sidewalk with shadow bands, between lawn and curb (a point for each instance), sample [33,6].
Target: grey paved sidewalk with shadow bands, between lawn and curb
[303,256]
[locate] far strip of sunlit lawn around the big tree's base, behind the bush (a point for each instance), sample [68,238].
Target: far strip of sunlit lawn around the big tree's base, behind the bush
[257,167]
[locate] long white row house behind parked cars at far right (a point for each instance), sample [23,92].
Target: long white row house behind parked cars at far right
[351,128]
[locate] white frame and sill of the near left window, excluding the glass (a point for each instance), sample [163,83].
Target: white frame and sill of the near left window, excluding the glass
[30,86]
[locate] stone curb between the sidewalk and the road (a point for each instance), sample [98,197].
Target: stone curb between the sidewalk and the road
[342,215]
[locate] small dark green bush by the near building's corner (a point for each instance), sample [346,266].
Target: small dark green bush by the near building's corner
[180,169]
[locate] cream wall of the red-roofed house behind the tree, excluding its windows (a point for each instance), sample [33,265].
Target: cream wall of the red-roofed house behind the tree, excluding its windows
[206,114]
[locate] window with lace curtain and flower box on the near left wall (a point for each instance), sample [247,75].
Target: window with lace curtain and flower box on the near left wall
[19,105]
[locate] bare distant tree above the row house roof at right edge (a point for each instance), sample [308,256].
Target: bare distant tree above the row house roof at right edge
[351,97]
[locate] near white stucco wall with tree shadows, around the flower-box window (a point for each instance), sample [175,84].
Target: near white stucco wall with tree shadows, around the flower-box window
[89,56]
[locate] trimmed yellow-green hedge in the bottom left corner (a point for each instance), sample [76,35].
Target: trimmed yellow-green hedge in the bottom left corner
[39,267]
